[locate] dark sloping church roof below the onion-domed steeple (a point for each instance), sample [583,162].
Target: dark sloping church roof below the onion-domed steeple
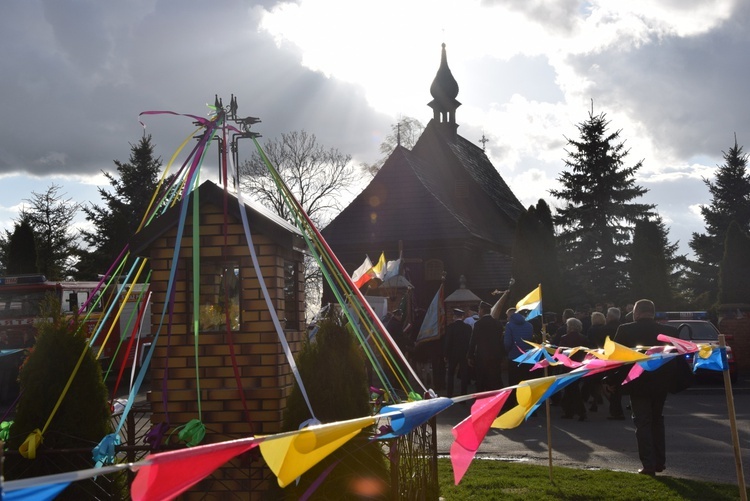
[444,189]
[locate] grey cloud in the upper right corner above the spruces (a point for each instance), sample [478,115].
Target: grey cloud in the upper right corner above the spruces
[689,92]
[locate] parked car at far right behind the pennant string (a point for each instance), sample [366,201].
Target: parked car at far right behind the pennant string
[695,326]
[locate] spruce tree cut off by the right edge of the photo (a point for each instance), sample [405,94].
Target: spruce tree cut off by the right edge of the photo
[730,201]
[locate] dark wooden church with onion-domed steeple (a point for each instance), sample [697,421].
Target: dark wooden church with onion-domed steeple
[442,206]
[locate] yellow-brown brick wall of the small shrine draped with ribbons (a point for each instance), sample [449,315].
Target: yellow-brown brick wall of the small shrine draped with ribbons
[266,378]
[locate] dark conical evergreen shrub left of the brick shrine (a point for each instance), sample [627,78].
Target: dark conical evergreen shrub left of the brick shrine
[83,417]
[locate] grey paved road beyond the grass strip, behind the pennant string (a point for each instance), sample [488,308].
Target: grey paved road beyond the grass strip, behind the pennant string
[699,443]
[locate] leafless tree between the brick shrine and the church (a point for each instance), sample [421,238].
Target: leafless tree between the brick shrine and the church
[318,177]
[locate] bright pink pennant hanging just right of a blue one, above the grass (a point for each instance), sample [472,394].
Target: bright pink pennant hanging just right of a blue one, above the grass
[470,432]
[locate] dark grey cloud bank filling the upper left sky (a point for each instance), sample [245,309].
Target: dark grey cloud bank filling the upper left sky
[82,71]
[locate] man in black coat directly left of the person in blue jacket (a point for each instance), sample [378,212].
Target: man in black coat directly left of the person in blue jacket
[486,350]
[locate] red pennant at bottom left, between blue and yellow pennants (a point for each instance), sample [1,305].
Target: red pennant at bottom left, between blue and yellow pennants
[168,474]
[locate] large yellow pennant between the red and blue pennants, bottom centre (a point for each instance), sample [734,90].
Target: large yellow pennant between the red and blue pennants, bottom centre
[292,455]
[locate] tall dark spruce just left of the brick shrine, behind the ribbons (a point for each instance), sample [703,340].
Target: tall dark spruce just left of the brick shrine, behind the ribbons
[118,219]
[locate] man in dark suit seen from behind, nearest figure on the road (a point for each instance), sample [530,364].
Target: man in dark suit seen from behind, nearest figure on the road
[648,392]
